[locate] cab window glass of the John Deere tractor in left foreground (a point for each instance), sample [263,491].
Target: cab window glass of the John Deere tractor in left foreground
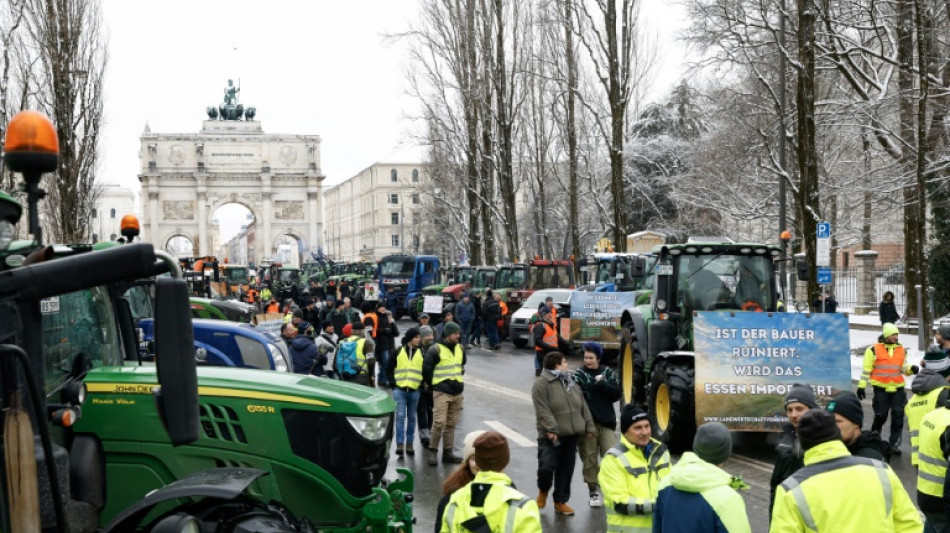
[81,322]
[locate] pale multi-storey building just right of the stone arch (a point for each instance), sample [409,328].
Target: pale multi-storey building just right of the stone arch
[377,212]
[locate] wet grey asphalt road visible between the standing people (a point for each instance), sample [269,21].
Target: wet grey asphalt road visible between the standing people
[498,396]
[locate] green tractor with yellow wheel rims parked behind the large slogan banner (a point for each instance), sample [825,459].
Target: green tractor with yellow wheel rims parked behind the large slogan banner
[656,364]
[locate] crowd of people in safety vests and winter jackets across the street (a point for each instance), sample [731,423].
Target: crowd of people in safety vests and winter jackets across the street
[828,470]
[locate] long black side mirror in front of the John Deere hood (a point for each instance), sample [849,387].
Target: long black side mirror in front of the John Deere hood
[177,394]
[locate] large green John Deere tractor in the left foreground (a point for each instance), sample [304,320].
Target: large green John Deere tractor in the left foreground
[135,446]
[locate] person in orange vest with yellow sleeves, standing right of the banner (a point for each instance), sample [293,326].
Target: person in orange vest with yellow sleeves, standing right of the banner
[885,365]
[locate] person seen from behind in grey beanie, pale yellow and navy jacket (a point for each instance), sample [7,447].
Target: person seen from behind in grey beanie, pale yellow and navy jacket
[698,496]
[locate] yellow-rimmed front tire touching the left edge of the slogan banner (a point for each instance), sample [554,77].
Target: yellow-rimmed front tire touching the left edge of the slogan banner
[672,406]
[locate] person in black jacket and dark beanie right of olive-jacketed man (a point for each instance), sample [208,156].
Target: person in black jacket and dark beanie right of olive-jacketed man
[601,390]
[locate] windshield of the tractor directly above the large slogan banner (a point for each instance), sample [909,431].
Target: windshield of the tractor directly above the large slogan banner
[710,282]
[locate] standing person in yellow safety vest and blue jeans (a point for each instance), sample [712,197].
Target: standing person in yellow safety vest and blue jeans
[405,373]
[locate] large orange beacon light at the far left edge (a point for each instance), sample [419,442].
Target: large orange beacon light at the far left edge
[31,146]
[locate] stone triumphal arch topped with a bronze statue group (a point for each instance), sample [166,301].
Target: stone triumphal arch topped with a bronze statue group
[185,177]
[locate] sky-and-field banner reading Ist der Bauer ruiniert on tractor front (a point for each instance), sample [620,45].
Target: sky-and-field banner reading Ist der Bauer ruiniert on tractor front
[746,363]
